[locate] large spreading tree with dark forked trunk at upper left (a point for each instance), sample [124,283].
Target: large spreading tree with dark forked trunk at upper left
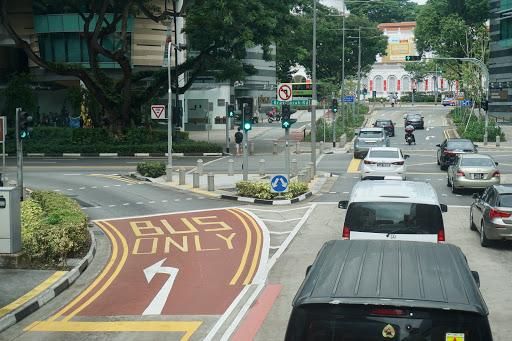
[219,31]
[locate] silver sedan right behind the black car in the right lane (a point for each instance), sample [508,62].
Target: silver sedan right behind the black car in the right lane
[477,171]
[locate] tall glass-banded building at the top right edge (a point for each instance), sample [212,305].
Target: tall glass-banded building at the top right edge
[500,63]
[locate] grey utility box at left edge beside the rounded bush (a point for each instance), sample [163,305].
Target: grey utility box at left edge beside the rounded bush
[10,220]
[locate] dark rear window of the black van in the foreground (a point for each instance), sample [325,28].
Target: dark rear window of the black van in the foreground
[377,323]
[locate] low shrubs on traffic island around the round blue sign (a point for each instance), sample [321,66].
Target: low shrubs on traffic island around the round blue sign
[262,190]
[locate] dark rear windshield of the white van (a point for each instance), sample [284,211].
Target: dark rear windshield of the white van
[394,217]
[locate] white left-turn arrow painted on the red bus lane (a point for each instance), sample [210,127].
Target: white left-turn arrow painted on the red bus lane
[157,304]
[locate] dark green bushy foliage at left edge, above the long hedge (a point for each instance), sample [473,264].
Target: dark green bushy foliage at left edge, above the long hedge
[18,93]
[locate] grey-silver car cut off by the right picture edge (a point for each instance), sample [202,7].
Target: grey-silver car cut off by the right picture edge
[491,214]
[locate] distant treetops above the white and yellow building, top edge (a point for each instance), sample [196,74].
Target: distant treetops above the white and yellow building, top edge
[385,11]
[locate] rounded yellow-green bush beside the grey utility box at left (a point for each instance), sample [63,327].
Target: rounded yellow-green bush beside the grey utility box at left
[53,228]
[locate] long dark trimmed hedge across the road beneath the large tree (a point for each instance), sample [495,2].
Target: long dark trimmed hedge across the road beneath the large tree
[52,140]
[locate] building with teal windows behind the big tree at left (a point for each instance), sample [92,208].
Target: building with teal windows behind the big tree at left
[54,33]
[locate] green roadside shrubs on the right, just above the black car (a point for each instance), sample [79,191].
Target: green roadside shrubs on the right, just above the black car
[476,128]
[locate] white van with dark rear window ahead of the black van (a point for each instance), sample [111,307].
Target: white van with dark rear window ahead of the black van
[396,210]
